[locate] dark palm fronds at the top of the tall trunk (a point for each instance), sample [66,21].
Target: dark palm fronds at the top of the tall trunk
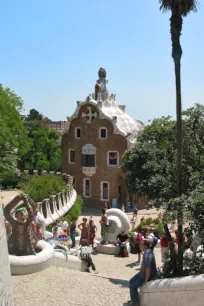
[184,7]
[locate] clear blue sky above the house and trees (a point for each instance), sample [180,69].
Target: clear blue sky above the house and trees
[51,51]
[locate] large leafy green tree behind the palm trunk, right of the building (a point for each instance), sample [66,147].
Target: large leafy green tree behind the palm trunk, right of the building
[151,166]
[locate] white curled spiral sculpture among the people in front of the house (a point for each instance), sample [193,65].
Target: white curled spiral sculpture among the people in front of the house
[118,221]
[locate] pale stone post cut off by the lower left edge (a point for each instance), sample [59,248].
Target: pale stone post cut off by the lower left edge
[6,296]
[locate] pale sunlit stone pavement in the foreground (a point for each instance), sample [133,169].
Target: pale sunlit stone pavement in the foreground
[57,286]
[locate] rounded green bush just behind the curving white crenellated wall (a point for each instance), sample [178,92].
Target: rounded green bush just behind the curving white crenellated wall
[42,187]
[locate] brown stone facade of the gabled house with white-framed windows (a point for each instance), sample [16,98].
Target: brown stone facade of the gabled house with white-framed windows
[104,173]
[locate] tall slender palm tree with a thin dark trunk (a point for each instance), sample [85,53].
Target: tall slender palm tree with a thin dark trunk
[179,9]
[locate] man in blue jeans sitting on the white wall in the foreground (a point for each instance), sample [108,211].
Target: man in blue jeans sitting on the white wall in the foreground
[147,272]
